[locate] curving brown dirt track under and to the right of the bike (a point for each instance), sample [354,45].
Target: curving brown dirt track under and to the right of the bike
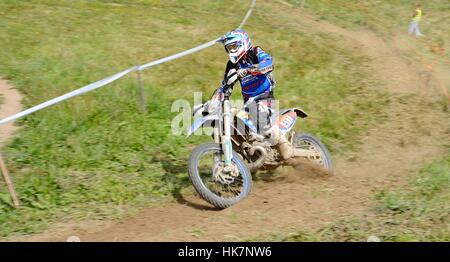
[410,135]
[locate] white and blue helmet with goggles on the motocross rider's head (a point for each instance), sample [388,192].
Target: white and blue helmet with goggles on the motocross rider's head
[236,43]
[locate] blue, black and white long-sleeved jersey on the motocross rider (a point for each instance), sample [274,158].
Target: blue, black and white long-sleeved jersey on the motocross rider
[259,79]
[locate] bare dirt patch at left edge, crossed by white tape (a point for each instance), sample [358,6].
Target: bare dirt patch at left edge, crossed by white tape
[10,105]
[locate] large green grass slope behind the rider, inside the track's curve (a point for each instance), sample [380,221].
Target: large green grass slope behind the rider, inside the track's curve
[97,156]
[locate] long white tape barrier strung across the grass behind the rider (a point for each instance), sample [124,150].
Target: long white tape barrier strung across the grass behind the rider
[115,77]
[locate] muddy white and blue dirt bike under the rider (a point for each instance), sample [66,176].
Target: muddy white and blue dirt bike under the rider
[220,171]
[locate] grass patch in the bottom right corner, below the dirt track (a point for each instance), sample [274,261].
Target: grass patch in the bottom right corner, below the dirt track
[419,212]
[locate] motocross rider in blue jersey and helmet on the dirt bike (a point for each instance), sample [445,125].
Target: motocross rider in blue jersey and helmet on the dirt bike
[254,69]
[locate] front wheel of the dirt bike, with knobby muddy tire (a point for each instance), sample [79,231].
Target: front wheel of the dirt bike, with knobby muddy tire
[219,188]
